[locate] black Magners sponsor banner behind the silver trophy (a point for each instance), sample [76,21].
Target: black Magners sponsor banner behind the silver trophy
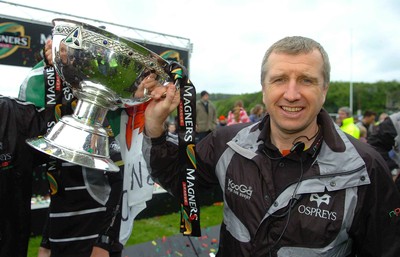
[21,44]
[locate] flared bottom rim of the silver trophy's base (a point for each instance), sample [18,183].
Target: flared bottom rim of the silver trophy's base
[79,158]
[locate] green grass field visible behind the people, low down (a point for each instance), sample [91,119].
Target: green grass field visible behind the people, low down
[145,230]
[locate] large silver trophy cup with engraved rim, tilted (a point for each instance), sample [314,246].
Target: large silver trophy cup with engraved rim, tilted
[104,72]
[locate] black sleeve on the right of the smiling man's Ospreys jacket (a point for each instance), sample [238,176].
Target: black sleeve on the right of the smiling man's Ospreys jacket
[376,225]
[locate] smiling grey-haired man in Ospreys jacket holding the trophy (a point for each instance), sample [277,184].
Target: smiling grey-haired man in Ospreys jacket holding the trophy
[294,184]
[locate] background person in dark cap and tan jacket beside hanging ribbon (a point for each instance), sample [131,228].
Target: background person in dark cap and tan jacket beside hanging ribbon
[206,116]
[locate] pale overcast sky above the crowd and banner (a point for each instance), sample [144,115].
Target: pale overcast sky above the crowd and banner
[230,37]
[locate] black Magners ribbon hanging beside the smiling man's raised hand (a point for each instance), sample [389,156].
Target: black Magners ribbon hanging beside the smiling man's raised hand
[190,208]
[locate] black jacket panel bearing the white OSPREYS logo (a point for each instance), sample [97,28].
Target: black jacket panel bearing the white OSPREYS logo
[314,221]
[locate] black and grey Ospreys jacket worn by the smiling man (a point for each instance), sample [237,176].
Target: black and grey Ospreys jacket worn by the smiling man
[334,199]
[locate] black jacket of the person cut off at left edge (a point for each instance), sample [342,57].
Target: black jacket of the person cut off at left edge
[19,121]
